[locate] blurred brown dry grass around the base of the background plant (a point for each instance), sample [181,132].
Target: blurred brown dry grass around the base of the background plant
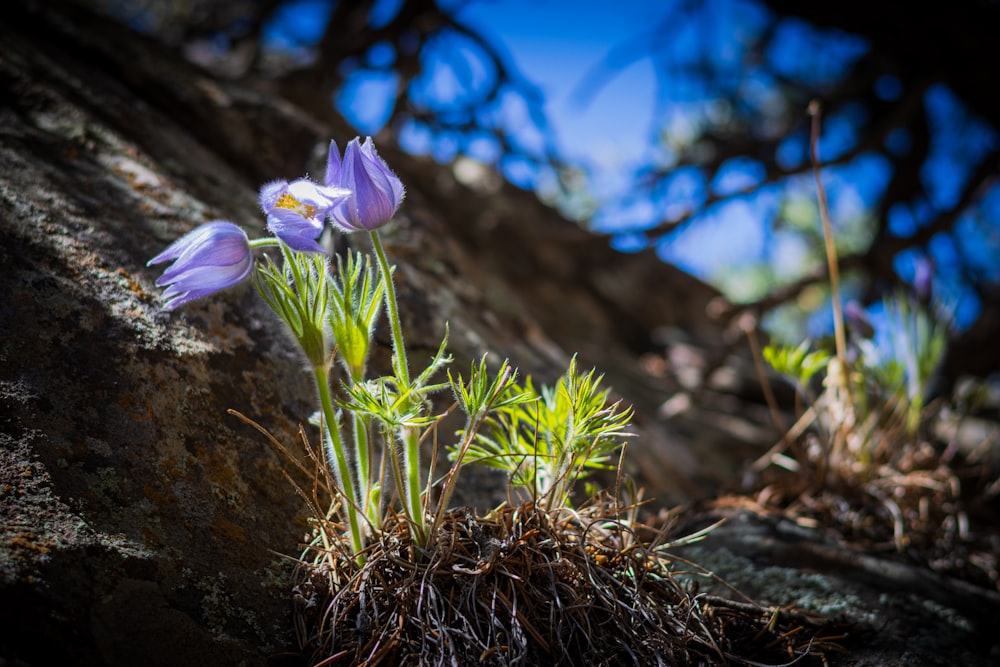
[916,501]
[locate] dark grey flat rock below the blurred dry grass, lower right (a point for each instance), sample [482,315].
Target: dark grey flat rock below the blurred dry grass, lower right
[889,611]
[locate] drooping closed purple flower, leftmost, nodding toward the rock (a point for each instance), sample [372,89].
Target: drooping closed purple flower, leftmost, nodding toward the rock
[207,259]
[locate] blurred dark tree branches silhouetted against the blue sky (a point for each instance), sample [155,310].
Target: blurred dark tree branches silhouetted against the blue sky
[917,49]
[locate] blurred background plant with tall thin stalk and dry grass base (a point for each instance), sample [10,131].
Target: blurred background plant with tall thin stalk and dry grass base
[865,454]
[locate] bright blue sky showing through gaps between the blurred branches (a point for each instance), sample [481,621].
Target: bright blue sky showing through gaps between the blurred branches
[556,44]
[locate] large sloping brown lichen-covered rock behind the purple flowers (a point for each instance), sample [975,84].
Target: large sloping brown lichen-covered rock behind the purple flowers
[142,523]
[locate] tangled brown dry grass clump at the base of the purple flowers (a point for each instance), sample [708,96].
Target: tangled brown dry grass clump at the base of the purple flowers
[527,586]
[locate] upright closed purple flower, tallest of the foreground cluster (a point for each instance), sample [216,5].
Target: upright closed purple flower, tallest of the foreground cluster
[376,192]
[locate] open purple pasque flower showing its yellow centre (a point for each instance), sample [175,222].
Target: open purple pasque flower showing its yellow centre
[296,211]
